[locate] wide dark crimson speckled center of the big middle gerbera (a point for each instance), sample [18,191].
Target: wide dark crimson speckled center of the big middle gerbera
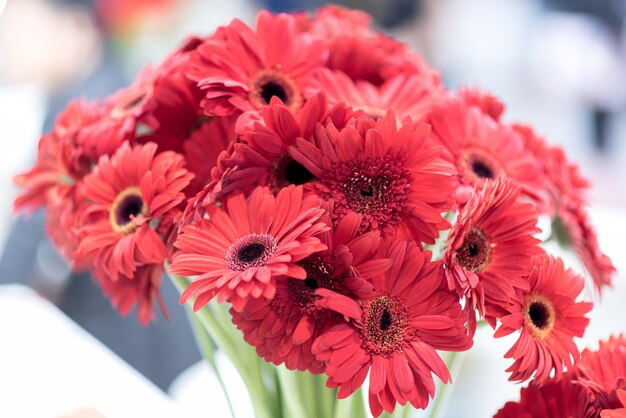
[377,188]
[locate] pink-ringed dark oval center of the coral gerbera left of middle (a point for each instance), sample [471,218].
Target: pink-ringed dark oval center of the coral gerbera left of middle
[253,250]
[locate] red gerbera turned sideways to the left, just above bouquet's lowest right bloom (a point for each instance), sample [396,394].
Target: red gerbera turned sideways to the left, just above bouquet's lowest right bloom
[490,247]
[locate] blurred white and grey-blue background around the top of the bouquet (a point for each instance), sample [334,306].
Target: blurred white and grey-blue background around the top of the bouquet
[559,64]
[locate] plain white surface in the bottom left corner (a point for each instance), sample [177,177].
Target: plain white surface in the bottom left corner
[50,367]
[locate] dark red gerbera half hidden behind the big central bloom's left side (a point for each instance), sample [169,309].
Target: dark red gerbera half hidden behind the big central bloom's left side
[264,159]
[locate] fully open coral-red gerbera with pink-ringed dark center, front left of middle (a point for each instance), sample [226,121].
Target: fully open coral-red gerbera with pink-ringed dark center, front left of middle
[247,245]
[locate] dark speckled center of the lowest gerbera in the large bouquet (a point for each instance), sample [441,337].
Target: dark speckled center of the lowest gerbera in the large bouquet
[385,325]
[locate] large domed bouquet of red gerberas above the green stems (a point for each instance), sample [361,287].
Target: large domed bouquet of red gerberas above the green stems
[317,176]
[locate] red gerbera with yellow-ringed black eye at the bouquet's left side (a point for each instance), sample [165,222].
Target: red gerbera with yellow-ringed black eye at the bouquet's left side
[131,194]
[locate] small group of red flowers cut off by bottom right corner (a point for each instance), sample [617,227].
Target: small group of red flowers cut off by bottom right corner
[596,387]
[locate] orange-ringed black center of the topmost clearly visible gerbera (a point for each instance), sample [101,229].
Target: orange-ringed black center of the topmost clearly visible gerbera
[272,83]
